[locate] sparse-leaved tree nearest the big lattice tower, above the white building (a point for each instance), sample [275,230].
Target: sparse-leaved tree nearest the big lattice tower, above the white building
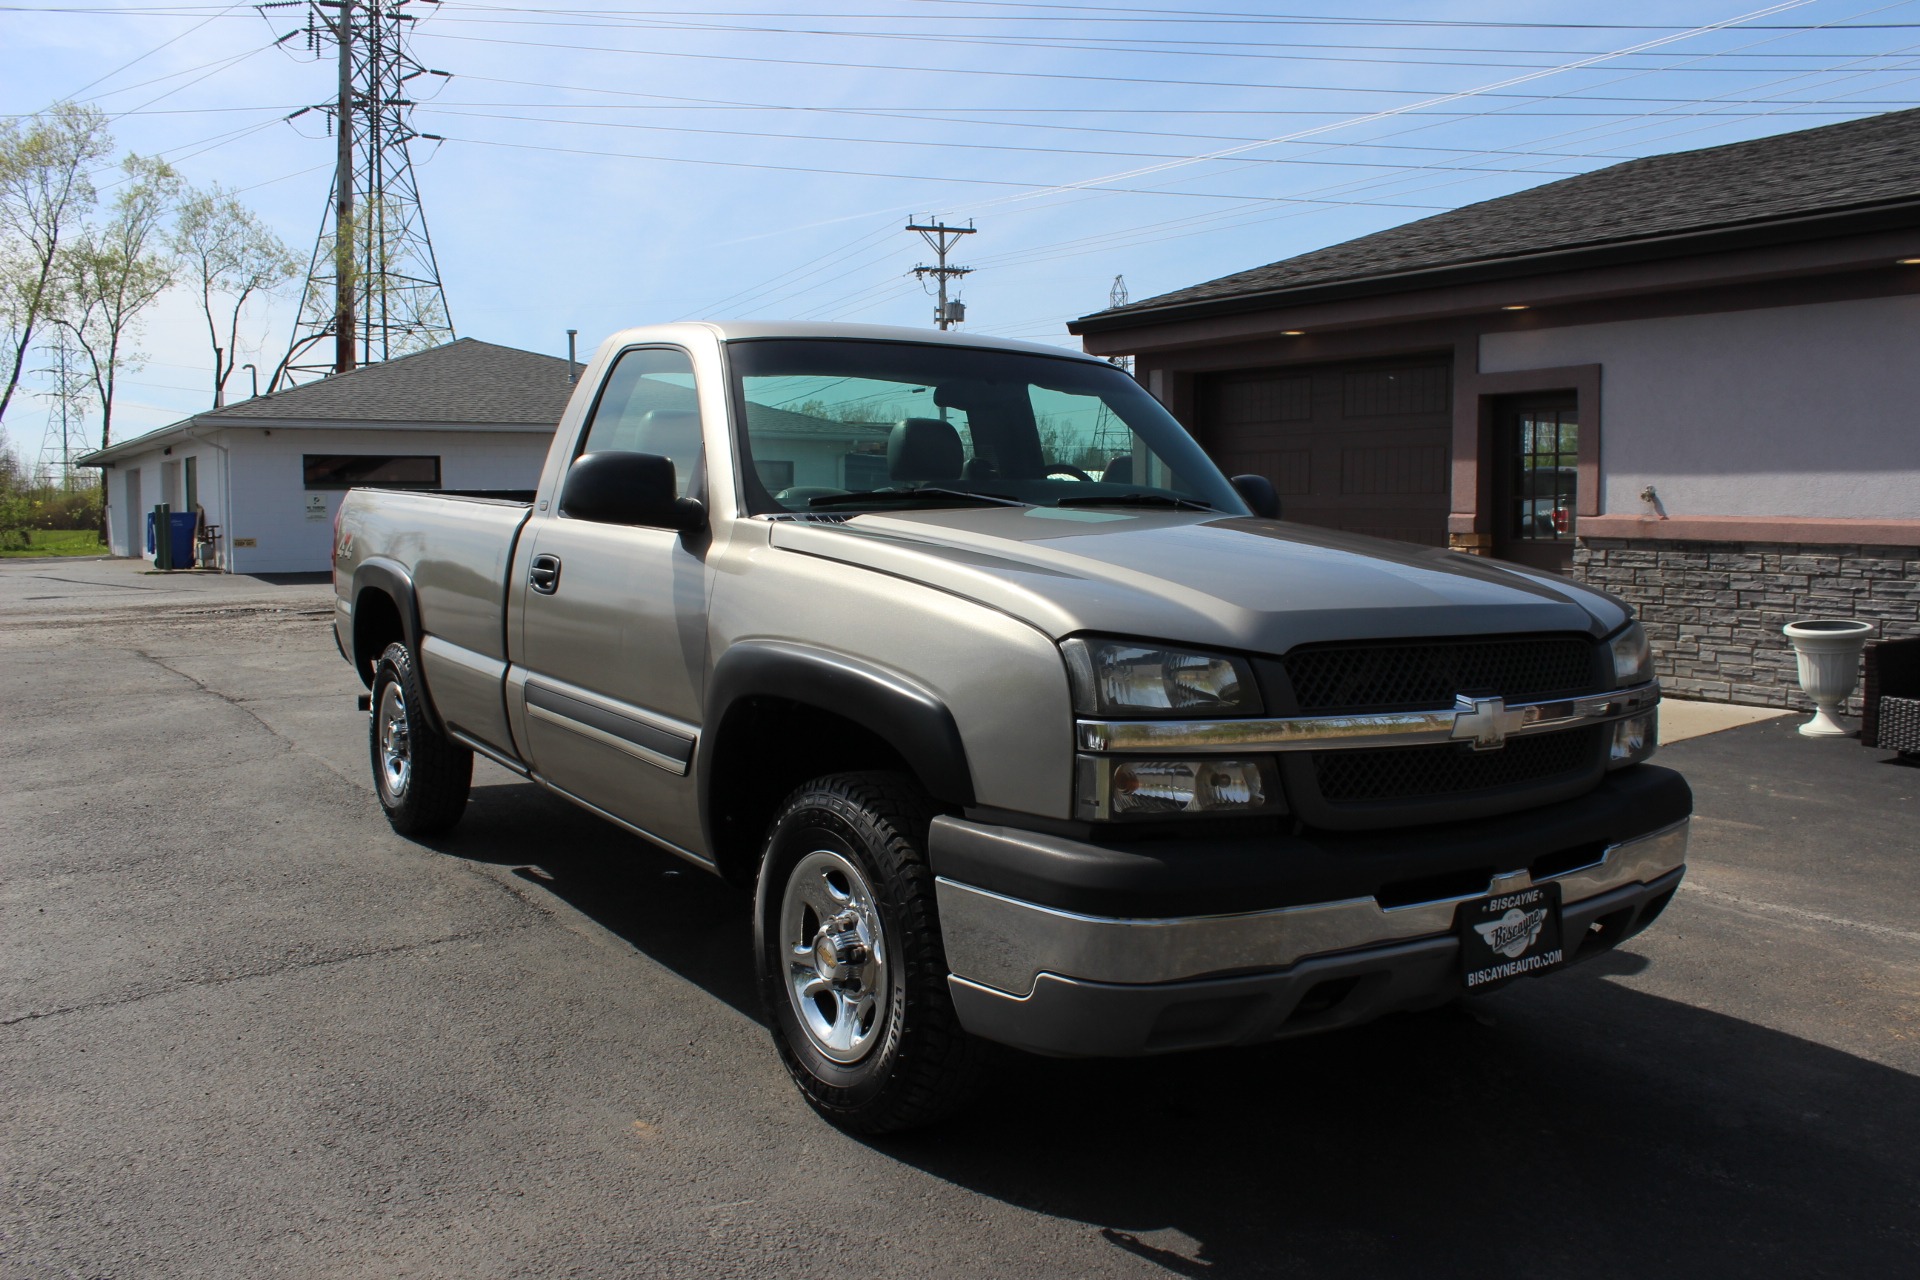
[231,256]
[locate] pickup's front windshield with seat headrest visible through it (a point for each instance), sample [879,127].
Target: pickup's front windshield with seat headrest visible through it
[842,425]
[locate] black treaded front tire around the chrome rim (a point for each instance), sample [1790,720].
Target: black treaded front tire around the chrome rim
[919,1064]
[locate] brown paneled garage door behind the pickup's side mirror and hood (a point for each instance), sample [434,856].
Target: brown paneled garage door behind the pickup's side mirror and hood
[1362,448]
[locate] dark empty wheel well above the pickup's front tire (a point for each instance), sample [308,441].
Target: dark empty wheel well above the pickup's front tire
[763,751]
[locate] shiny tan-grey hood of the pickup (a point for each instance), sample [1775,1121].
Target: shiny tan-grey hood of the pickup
[1228,582]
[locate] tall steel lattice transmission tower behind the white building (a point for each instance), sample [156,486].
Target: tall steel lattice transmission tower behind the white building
[373,289]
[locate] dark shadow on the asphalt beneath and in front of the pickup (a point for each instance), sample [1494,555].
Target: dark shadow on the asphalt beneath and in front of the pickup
[1572,1129]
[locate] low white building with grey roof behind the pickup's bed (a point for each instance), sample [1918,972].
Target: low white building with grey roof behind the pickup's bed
[272,471]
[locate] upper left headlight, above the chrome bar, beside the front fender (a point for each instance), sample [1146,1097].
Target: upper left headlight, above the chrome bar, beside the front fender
[1118,678]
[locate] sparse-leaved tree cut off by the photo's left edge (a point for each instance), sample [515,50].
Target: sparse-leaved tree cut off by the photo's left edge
[43,197]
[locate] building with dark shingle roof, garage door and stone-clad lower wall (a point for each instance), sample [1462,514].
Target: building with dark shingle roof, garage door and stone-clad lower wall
[1691,379]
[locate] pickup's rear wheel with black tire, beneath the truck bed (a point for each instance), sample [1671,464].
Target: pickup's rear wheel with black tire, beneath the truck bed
[429,794]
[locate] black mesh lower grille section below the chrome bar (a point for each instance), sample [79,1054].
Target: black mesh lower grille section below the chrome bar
[1454,769]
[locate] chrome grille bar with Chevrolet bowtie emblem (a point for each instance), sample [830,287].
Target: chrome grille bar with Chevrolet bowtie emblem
[1485,723]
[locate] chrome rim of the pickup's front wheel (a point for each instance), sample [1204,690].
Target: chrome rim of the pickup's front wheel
[836,957]
